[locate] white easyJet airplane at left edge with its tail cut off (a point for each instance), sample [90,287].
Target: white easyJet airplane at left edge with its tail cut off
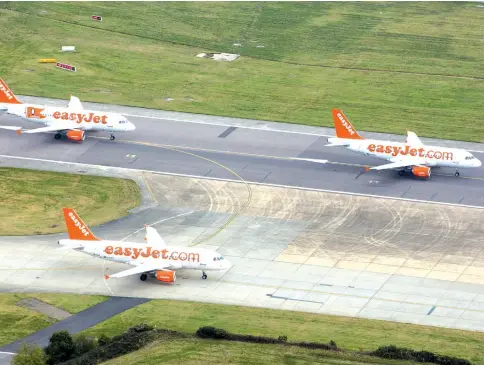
[71,121]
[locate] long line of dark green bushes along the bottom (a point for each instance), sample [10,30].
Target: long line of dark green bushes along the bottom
[81,350]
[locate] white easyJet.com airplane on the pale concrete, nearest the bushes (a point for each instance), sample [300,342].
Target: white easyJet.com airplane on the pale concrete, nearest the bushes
[153,258]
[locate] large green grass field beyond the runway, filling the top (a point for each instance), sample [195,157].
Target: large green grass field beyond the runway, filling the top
[389,66]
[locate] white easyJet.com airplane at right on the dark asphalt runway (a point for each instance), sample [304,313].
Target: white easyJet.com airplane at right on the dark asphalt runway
[412,155]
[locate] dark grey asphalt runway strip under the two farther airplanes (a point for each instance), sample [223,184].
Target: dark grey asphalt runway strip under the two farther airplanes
[263,156]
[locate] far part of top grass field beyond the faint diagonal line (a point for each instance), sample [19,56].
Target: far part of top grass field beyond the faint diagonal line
[423,37]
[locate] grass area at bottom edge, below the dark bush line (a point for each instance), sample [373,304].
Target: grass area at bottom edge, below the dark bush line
[195,351]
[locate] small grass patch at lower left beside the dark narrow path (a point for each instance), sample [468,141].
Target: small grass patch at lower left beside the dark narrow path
[18,322]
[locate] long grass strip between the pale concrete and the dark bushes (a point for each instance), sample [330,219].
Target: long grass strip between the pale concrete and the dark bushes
[348,333]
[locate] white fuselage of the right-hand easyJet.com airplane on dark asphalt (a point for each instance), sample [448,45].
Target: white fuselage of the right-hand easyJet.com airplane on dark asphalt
[391,151]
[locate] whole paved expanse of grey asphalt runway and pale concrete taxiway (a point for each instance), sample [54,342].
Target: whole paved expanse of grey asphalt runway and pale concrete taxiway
[295,249]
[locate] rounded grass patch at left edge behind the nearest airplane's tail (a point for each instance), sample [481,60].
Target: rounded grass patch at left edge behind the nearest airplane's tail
[31,201]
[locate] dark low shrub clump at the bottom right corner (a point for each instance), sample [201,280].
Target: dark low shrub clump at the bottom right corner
[393,352]
